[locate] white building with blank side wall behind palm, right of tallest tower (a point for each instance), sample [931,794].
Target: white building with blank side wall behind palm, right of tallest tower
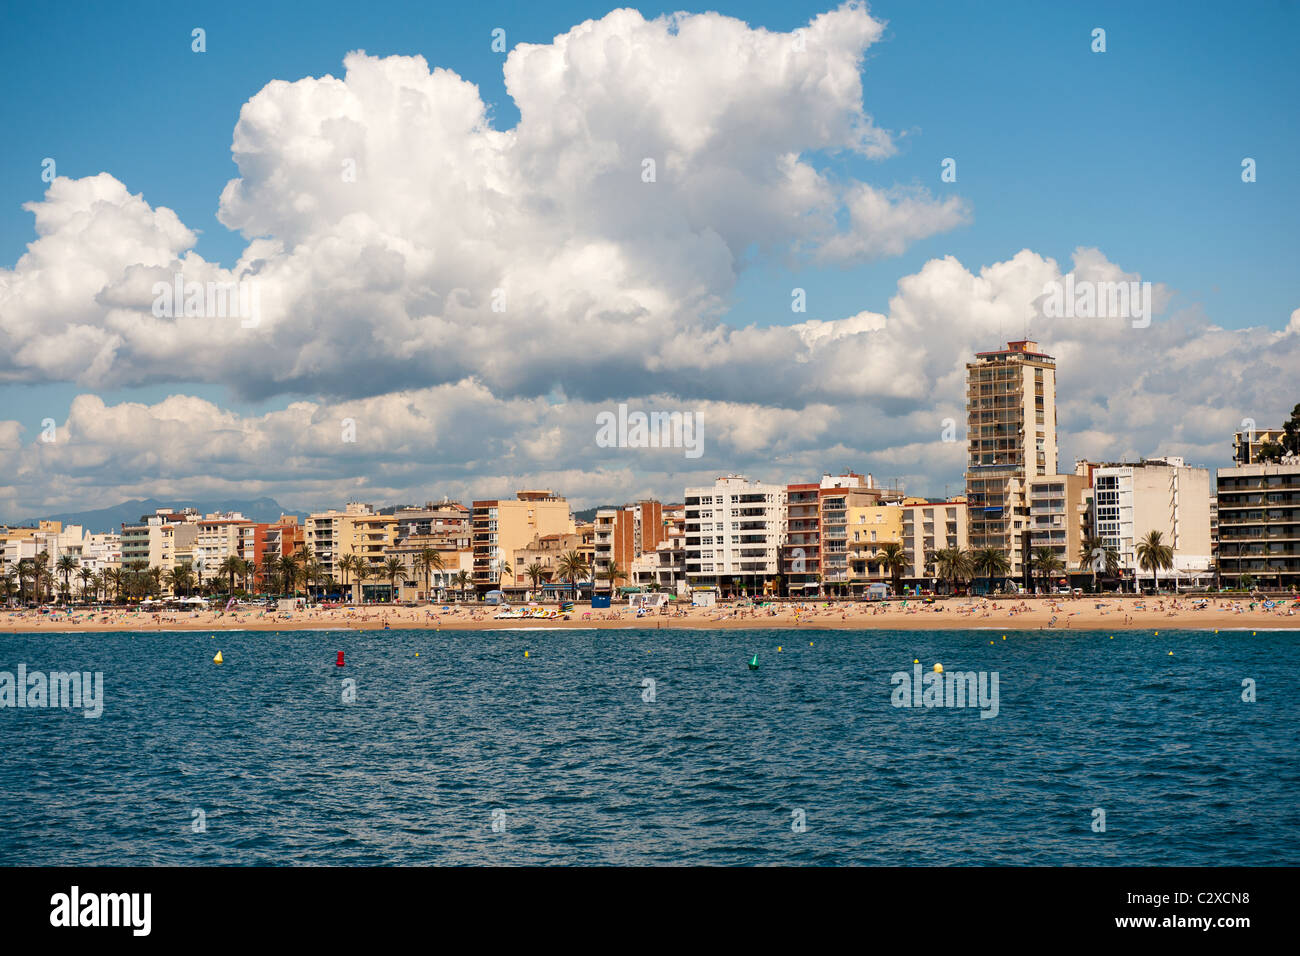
[1132,500]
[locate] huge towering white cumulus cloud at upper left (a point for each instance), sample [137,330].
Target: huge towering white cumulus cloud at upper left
[397,240]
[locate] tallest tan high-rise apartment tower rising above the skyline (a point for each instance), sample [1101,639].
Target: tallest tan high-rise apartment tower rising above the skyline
[1011,409]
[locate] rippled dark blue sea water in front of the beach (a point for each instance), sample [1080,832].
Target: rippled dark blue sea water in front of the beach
[562,752]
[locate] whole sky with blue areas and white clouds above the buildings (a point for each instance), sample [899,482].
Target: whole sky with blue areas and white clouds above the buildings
[460,263]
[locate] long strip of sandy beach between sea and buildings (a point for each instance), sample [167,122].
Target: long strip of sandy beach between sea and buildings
[1029,613]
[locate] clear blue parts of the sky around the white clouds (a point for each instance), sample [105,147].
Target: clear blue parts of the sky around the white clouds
[1136,152]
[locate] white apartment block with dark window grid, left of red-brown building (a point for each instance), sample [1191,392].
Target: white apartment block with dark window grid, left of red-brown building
[735,531]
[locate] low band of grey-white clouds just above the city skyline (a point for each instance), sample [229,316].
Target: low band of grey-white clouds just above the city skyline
[1180,387]
